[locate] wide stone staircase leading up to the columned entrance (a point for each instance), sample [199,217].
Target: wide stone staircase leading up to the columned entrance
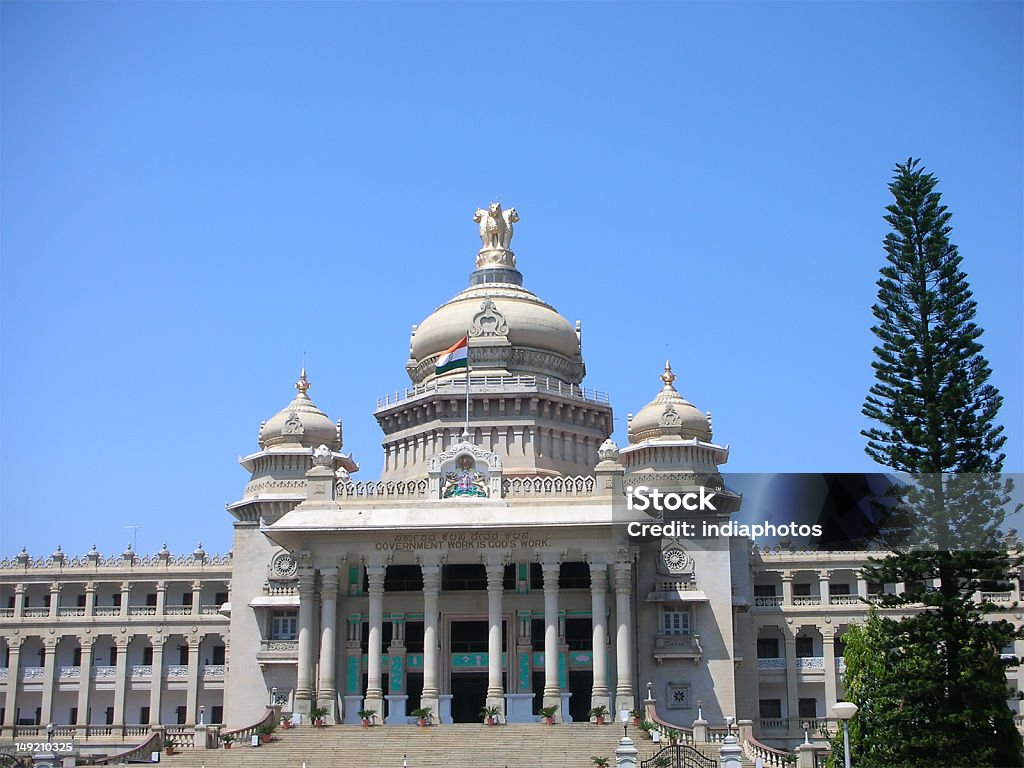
[464,746]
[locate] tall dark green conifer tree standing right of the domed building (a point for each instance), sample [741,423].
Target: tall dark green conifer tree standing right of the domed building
[938,697]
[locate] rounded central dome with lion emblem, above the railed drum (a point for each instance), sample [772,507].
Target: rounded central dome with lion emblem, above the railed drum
[510,330]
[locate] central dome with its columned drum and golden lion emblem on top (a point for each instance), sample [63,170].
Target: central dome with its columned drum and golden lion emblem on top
[526,361]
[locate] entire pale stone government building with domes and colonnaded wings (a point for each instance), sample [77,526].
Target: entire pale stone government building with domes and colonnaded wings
[496,563]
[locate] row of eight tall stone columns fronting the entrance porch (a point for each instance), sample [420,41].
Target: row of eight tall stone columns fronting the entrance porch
[327,689]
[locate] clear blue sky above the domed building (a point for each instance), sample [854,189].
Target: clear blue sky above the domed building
[194,195]
